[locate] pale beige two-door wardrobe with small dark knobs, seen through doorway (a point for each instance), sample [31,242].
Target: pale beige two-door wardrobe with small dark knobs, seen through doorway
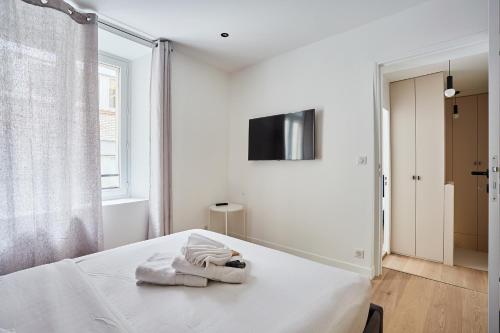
[418,166]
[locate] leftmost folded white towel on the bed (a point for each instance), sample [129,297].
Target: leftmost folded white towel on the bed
[158,270]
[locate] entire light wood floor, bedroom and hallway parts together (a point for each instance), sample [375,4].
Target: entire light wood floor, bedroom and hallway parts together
[424,296]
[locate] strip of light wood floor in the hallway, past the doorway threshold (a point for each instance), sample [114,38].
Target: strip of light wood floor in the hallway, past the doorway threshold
[455,275]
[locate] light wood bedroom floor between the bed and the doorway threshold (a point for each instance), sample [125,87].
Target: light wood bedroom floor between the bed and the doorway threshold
[415,304]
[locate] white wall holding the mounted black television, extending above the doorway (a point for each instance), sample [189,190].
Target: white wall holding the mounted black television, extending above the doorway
[324,209]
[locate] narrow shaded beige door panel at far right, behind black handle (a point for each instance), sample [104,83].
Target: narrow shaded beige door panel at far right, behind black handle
[482,182]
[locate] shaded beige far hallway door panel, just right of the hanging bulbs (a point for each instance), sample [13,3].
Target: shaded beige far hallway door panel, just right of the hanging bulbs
[464,160]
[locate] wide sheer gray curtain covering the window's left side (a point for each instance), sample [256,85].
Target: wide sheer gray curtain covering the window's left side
[50,195]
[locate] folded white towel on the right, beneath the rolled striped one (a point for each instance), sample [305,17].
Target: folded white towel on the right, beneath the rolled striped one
[210,271]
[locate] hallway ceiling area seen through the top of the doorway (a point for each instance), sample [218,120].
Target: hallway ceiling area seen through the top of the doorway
[470,73]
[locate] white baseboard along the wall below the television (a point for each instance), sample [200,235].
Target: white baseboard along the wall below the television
[365,271]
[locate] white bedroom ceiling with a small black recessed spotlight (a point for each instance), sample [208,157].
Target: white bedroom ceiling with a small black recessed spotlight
[258,29]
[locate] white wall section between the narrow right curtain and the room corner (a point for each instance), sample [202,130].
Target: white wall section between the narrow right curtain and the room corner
[200,132]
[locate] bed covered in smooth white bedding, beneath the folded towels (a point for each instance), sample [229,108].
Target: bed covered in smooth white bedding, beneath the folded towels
[283,293]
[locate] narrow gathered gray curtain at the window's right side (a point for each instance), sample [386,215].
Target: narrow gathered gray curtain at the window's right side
[160,193]
